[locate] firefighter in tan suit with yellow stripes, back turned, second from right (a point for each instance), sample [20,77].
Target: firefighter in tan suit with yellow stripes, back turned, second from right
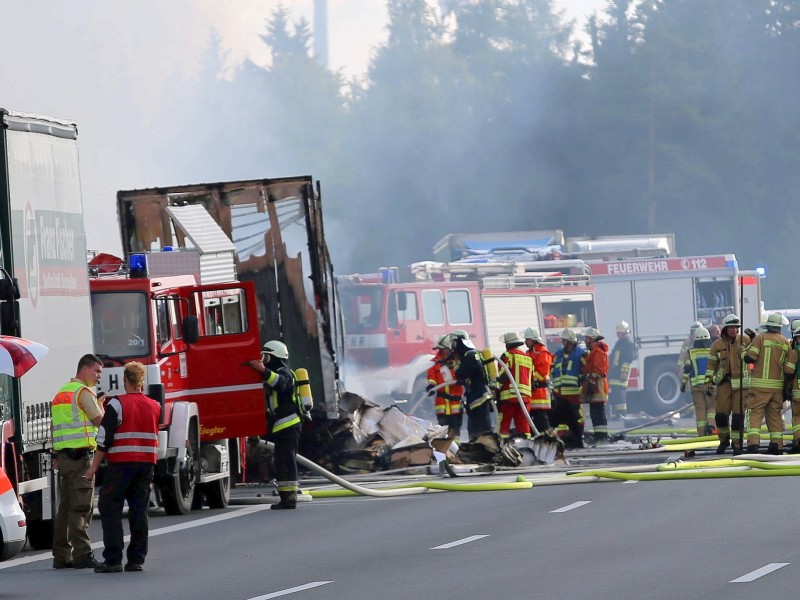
[767,353]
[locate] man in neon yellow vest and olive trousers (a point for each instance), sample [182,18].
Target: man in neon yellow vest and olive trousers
[75,415]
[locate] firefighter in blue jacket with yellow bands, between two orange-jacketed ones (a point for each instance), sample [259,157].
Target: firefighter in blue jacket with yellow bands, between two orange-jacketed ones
[567,364]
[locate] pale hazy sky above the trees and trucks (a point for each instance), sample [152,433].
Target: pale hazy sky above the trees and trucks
[114,65]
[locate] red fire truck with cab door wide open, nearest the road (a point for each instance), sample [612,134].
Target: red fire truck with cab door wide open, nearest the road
[186,318]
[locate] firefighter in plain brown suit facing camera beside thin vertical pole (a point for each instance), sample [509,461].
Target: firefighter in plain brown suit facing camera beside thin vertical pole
[724,381]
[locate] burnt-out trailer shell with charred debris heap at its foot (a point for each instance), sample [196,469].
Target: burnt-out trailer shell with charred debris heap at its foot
[277,229]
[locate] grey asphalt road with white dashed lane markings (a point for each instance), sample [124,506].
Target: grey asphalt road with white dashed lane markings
[699,539]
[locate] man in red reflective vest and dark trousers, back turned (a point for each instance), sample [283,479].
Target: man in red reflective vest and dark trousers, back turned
[128,440]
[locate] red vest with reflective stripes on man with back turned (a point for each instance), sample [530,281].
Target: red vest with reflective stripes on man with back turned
[129,430]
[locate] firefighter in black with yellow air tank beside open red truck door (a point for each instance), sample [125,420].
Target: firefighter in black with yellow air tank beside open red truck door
[285,416]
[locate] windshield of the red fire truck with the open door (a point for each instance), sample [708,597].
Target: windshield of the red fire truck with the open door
[119,322]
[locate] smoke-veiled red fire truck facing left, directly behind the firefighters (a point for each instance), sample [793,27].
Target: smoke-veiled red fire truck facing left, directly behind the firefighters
[393,318]
